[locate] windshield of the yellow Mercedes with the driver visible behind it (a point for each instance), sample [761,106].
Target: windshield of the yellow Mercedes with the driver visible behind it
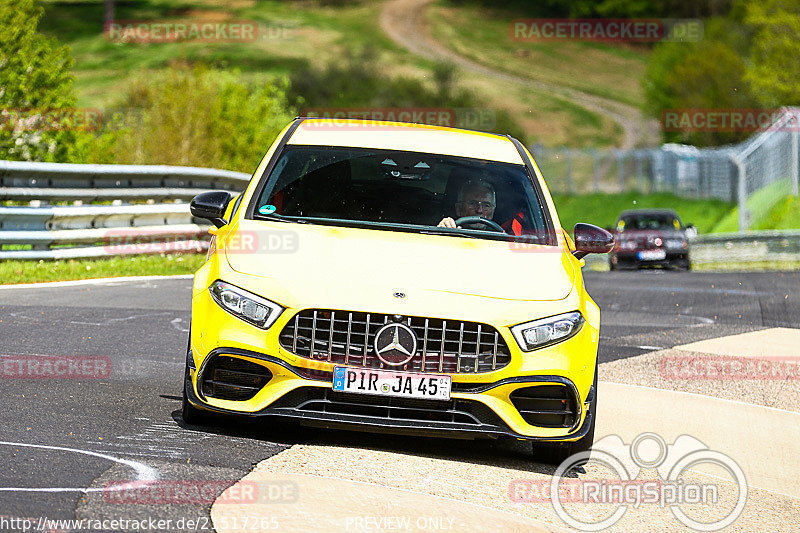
[407,191]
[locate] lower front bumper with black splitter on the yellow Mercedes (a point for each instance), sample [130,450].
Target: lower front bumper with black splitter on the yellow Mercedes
[466,415]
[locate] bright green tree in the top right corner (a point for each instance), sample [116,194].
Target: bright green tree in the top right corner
[774,74]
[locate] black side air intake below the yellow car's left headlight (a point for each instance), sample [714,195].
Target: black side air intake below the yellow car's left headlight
[231,378]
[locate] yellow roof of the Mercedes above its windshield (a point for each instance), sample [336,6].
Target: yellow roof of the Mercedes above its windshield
[407,137]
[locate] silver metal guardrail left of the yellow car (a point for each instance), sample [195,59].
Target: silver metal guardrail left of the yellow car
[160,222]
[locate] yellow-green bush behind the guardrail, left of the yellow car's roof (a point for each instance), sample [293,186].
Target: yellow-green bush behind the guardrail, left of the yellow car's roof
[193,117]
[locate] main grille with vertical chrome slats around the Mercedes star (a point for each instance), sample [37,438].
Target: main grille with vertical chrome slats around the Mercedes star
[345,337]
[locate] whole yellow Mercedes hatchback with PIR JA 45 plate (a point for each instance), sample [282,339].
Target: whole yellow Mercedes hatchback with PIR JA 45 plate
[396,277]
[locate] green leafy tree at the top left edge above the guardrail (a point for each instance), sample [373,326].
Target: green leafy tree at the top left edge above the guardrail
[35,81]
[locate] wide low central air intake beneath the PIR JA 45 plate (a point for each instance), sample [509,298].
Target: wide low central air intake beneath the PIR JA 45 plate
[386,408]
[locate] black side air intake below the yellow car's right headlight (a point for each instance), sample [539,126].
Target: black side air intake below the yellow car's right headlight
[552,406]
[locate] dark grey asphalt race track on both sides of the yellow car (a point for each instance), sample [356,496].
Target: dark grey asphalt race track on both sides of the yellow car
[63,441]
